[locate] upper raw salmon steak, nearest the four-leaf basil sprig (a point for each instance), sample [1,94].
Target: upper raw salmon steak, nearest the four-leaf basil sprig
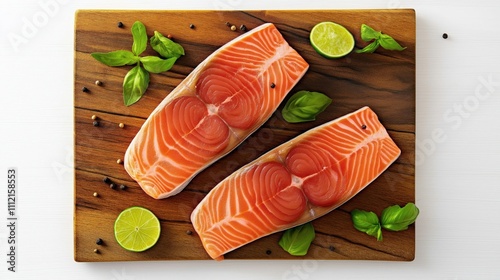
[219,104]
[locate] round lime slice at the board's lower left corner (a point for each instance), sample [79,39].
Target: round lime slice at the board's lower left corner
[137,229]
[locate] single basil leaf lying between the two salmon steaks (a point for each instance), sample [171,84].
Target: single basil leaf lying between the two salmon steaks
[305,106]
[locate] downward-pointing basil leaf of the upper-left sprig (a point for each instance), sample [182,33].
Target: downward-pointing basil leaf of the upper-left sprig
[135,84]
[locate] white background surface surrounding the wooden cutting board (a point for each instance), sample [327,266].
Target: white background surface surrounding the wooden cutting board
[458,186]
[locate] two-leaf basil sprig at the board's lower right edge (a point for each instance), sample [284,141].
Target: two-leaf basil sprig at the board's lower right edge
[393,218]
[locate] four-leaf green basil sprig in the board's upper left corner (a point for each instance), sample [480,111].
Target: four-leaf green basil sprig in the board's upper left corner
[136,81]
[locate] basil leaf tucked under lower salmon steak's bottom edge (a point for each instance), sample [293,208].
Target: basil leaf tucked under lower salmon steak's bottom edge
[296,241]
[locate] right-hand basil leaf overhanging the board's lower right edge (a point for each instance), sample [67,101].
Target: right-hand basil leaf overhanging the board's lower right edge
[396,218]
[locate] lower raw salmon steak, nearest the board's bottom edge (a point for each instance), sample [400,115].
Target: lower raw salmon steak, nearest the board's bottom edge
[294,183]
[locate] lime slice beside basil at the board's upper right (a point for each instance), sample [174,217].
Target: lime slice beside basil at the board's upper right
[331,40]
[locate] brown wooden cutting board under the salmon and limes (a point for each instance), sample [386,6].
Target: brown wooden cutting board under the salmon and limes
[384,80]
